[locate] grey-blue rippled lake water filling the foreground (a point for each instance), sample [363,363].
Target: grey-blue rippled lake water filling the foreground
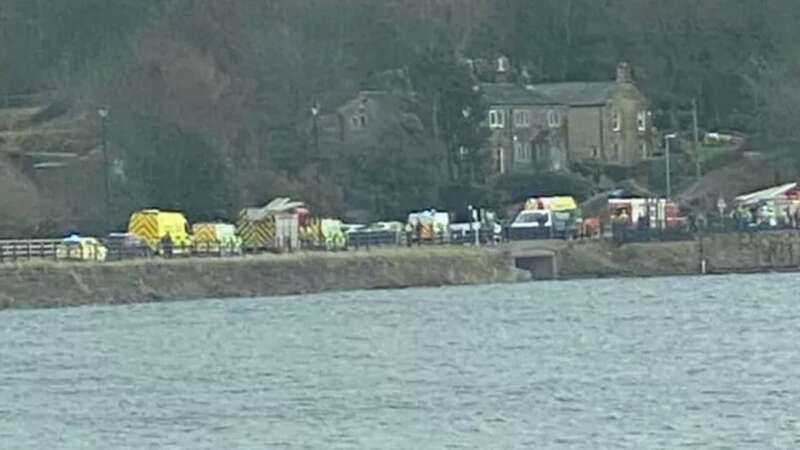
[697,363]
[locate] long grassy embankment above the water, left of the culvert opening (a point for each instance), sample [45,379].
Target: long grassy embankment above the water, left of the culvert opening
[50,284]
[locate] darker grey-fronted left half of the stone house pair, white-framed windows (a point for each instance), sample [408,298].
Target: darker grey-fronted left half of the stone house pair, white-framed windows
[528,128]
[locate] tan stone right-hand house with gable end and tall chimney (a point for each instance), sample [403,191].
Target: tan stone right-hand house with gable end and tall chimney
[608,121]
